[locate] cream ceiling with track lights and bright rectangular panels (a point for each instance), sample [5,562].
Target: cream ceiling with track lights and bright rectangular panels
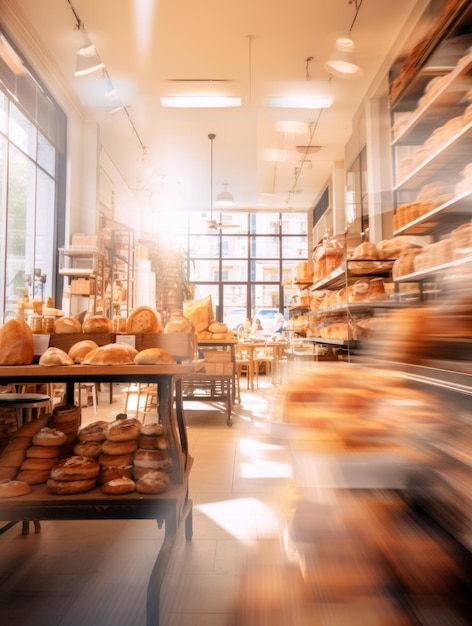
[255,49]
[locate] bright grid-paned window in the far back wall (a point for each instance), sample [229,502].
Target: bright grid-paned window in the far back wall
[247,261]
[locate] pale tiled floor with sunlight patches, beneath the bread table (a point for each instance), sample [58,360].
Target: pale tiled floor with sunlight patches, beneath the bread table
[95,573]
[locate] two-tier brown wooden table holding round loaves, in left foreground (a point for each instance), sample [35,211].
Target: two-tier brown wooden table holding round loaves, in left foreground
[171,508]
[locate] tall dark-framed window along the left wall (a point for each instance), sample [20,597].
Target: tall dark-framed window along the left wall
[32,183]
